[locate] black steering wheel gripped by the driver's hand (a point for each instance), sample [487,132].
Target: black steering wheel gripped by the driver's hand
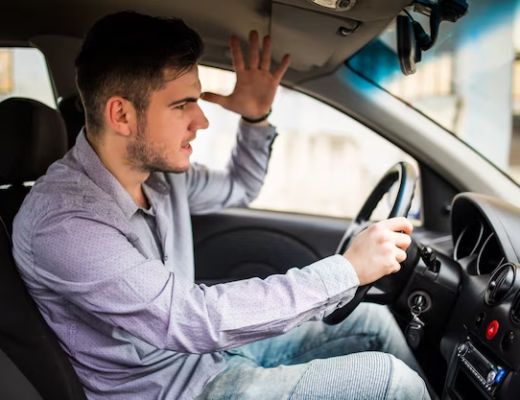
[405,174]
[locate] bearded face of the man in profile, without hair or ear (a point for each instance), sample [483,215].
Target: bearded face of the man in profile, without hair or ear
[162,141]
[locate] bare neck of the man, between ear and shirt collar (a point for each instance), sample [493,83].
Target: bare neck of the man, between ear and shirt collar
[112,153]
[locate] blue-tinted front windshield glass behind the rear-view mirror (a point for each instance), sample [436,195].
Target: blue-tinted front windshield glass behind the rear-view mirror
[469,82]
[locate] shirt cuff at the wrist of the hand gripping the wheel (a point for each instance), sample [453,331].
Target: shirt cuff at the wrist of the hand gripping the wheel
[339,278]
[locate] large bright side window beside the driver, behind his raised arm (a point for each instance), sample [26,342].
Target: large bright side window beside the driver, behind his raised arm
[323,161]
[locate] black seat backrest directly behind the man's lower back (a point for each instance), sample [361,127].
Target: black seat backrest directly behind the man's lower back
[27,339]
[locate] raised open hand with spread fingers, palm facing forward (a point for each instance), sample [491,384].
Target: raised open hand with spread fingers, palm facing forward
[256,86]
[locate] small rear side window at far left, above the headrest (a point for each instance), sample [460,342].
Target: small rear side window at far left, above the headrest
[24,73]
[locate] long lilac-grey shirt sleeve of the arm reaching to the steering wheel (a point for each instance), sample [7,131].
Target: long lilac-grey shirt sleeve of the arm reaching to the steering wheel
[95,267]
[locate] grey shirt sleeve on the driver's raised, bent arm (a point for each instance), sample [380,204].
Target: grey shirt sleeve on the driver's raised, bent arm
[240,182]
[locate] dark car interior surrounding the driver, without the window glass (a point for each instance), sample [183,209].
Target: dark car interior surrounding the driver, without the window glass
[460,277]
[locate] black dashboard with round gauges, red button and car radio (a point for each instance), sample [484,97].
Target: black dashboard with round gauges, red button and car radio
[478,280]
